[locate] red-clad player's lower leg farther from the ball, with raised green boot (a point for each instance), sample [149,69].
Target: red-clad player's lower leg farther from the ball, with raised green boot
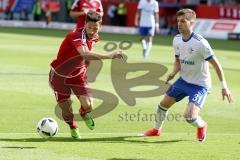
[86,107]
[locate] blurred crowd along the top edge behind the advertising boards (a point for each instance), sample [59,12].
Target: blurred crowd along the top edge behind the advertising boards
[116,12]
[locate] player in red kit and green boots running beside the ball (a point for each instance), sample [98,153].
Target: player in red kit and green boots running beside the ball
[68,70]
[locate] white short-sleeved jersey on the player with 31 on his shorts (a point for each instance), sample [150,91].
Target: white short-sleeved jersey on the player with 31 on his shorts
[194,54]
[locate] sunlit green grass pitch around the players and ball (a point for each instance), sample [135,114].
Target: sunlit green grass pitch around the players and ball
[26,97]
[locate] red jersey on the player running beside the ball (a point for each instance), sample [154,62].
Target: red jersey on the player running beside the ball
[69,62]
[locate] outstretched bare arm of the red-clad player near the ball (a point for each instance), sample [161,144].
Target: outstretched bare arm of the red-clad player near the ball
[90,55]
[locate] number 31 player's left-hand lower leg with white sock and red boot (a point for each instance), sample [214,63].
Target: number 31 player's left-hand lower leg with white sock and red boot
[160,116]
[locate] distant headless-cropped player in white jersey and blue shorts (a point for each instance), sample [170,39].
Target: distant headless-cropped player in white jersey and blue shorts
[147,19]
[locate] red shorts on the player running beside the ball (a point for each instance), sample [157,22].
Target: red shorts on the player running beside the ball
[63,87]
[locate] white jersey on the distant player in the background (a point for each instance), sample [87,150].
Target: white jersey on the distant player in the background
[148,9]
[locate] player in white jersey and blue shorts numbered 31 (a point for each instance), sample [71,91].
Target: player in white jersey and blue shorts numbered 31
[193,55]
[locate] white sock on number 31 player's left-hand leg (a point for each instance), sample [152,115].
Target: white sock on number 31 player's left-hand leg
[160,116]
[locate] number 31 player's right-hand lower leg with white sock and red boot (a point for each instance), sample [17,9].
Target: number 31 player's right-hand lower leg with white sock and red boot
[191,115]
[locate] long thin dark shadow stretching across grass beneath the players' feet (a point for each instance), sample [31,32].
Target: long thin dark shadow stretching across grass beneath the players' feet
[120,139]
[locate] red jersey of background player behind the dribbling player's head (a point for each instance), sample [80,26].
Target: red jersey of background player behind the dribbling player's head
[86,5]
